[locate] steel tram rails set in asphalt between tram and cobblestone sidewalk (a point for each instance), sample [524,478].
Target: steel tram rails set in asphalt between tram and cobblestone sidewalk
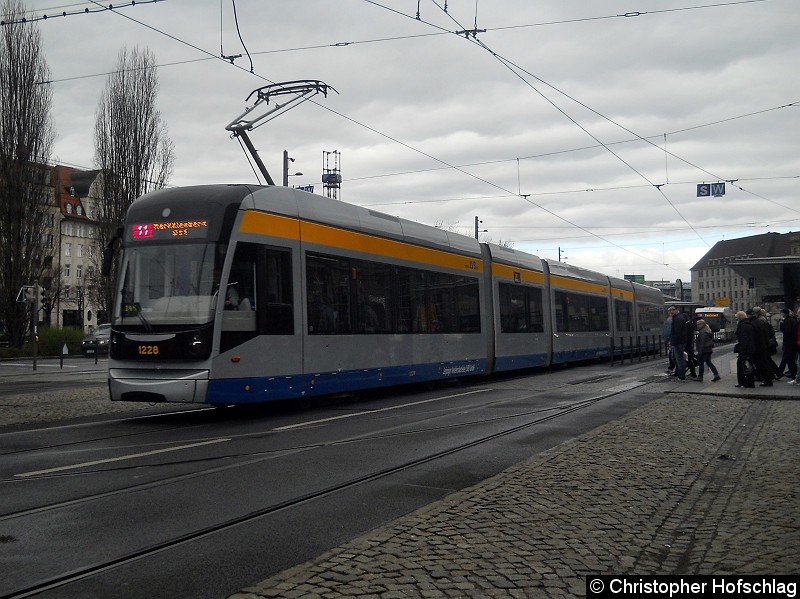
[539,416]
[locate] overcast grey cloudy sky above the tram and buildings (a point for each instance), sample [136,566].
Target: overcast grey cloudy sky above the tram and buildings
[570,128]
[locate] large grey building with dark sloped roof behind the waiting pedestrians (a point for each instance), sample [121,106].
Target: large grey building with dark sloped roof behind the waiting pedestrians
[741,273]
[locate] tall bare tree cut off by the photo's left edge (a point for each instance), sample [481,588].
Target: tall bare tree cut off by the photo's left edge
[26,136]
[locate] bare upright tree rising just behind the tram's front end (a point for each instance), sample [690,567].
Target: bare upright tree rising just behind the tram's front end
[132,148]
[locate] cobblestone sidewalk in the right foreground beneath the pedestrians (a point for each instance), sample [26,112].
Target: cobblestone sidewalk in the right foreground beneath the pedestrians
[705,479]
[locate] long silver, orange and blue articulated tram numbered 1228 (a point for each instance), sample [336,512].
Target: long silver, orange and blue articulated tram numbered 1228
[231,294]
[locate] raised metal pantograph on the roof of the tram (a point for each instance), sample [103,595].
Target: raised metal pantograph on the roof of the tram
[300,90]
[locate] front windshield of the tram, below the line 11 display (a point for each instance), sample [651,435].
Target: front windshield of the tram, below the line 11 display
[169,284]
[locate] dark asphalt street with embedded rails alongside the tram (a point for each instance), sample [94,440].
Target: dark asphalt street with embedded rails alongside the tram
[192,501]
